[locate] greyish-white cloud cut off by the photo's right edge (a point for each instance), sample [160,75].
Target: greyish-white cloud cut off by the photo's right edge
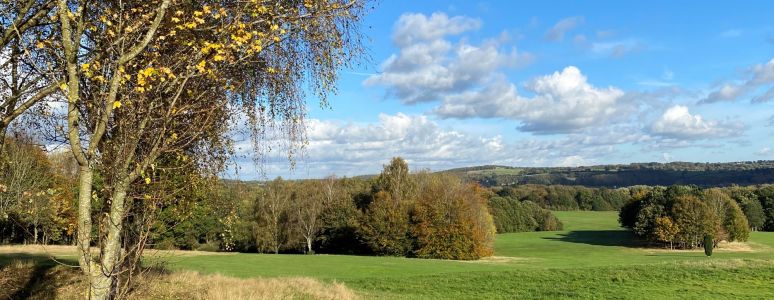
[758,77]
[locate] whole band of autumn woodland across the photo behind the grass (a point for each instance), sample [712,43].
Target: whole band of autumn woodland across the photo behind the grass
[393,213]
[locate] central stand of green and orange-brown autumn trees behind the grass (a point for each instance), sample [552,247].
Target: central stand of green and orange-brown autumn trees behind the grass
[396,213]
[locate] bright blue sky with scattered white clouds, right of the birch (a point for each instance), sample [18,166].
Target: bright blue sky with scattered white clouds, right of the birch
[545,83]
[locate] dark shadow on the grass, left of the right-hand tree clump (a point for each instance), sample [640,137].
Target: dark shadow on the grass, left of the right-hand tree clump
[616,238]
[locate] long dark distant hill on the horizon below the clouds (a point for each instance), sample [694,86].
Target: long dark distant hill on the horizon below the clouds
[702,174]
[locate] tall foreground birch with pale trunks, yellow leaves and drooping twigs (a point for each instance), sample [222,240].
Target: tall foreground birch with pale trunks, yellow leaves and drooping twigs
[250,57]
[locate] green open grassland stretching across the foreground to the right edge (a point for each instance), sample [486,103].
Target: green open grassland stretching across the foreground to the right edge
[592,258]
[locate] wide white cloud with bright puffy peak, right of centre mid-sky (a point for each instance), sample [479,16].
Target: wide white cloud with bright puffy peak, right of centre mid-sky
[562,102]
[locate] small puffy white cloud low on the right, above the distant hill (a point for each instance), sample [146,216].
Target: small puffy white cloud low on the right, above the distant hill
[678,123]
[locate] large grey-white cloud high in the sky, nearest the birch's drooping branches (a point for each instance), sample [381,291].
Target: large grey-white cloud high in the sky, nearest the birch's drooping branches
[429,66]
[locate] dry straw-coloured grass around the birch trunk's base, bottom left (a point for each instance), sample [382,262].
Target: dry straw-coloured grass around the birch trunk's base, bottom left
[25,280]
